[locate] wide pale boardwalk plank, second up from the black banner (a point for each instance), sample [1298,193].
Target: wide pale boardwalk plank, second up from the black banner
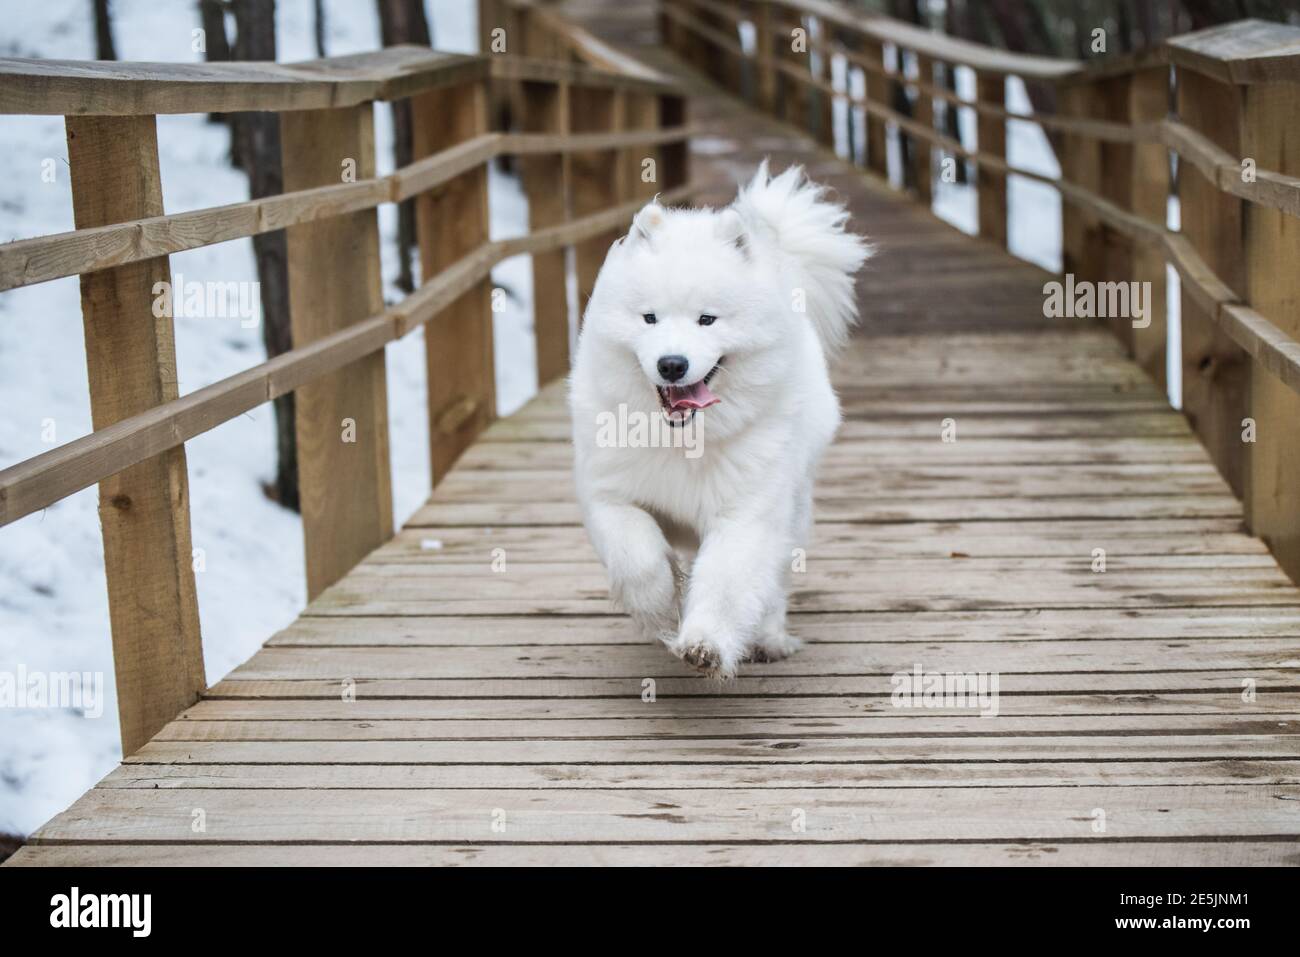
[649,816]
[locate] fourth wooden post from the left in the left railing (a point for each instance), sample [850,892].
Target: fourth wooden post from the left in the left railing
[547,183]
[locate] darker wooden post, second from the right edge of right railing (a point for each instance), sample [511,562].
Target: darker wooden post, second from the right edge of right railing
[1216,373]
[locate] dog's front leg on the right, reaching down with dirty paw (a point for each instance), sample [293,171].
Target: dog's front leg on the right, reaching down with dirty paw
[735,583]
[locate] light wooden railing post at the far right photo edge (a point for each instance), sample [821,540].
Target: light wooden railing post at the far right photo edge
[1272,246]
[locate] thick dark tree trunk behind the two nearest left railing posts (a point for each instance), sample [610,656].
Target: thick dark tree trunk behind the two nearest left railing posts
[257,138]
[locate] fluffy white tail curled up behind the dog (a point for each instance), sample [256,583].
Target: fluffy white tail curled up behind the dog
[792,213]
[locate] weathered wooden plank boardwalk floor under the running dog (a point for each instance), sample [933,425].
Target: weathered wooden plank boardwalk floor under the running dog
[467,696]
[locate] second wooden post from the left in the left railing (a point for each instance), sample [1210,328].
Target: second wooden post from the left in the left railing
[343,418]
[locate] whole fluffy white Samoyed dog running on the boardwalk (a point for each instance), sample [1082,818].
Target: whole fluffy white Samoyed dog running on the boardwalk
[717,327]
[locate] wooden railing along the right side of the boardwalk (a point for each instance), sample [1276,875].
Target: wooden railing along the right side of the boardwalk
[1237,254]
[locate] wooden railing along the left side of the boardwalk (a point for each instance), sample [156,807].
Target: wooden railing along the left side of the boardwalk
[582,136]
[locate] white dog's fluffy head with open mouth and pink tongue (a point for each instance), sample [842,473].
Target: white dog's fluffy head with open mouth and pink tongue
[687,297]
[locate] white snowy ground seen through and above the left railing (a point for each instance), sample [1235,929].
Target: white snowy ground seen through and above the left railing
[54,608]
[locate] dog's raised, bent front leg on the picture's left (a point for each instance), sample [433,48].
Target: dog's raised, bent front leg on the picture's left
[639,561]
